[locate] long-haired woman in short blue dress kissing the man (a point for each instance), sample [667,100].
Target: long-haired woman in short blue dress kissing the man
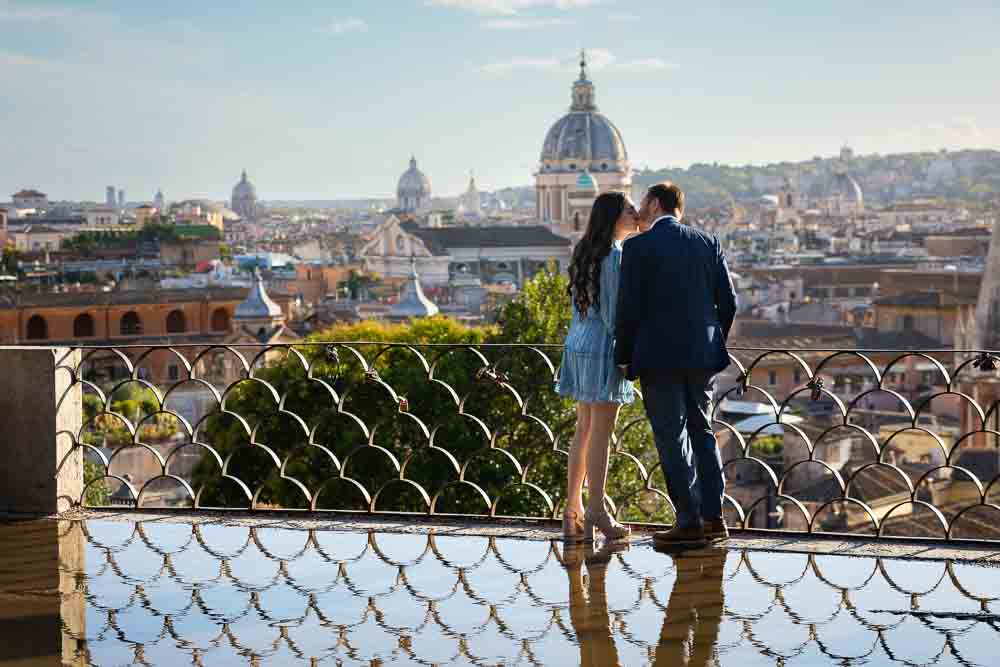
[588,373]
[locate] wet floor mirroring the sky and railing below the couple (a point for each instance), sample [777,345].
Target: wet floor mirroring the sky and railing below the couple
[113,592]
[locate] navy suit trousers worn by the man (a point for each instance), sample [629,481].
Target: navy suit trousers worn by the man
[679,408]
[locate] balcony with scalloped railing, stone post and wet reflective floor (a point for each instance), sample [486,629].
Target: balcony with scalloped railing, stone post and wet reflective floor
[370,503]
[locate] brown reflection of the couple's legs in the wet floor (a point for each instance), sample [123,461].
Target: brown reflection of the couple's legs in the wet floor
[690,622]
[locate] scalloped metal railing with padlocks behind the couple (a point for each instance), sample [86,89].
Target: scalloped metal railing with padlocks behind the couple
[846,444]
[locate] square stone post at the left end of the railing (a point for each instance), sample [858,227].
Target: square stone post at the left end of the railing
[39,405]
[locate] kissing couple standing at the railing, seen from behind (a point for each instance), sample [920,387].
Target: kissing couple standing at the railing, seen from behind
[656,307]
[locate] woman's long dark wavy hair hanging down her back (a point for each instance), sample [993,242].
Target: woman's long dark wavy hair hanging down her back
[589,254]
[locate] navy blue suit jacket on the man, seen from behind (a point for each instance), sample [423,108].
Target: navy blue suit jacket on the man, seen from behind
[676,302]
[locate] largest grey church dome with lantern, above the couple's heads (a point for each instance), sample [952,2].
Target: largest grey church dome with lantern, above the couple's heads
[584,134]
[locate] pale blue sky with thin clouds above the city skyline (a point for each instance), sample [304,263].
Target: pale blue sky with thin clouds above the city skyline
[328,99]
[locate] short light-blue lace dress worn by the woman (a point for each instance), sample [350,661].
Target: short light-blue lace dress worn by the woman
[588,373]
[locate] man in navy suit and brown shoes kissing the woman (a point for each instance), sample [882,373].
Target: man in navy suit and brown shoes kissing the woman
[676,305]
